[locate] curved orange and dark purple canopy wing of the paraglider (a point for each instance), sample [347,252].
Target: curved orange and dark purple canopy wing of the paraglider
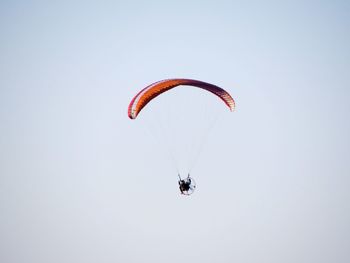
[150,92]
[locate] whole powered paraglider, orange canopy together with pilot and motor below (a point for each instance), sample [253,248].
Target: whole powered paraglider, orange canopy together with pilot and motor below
[144,96]
